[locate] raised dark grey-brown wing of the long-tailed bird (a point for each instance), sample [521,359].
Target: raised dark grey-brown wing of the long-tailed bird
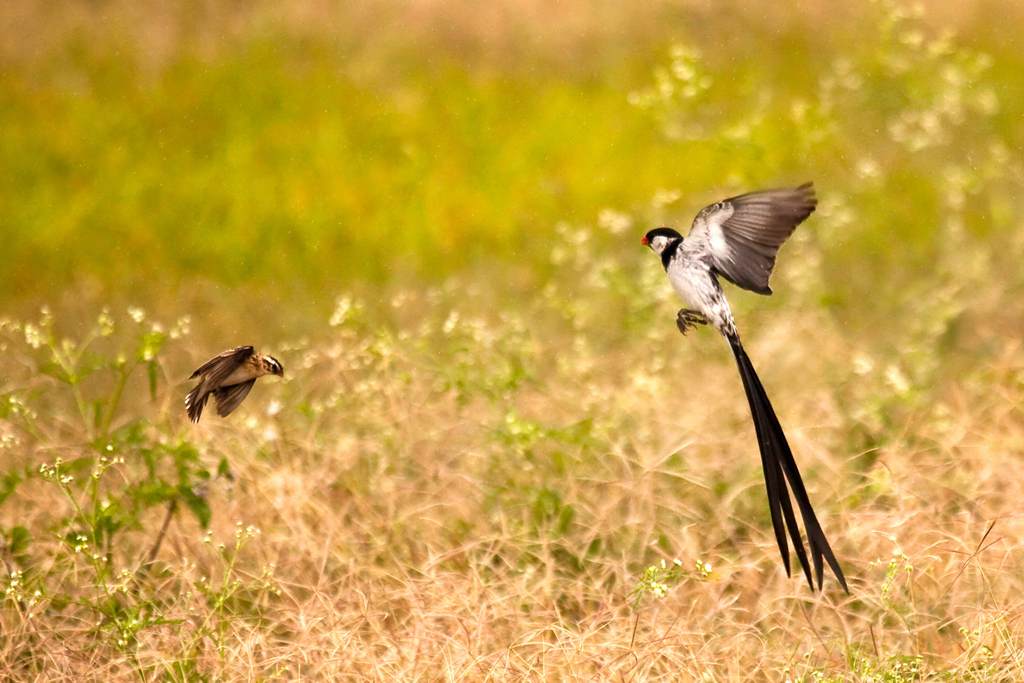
[742,235]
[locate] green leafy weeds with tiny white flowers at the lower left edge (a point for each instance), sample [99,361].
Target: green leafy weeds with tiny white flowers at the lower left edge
[91,557]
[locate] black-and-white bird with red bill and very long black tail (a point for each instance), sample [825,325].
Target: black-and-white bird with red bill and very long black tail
[738,239]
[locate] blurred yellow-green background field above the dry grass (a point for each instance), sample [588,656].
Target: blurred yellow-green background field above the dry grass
[174,155]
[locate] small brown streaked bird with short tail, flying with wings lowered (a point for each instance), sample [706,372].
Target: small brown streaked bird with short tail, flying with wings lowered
[229,377]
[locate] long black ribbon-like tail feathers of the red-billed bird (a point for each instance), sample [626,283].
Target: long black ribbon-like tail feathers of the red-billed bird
[781,469]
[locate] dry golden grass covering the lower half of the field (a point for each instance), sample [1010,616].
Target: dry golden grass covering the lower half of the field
[400,513]
